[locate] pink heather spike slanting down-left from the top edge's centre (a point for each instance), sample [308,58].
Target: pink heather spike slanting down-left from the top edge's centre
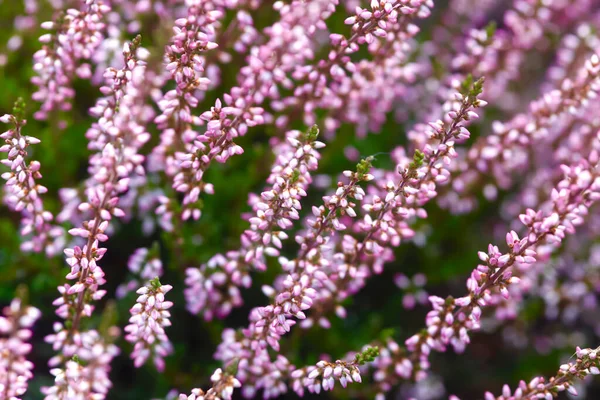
[241,108]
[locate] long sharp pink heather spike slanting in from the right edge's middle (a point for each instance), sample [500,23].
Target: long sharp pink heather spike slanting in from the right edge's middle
[451,320]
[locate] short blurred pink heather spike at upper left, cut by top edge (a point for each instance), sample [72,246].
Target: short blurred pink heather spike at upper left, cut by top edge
[74,38]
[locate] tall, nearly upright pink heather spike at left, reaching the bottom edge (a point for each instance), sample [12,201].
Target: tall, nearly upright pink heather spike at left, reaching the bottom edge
[116,140]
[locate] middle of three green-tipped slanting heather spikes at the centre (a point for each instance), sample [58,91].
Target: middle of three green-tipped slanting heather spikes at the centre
[267,324]
